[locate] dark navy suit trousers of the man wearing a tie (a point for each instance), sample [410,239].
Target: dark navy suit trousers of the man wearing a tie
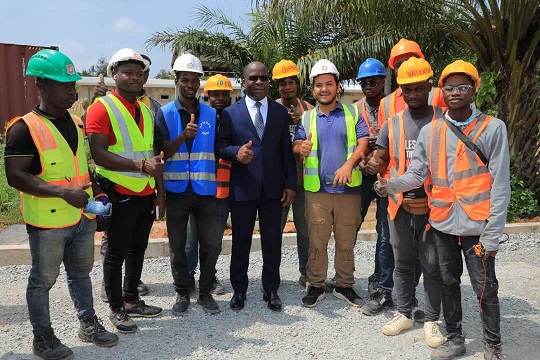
[243,215]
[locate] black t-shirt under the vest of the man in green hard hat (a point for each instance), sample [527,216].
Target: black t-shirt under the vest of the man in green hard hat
[19,142]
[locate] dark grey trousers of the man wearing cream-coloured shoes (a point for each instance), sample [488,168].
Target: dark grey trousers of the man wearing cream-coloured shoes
[411,243]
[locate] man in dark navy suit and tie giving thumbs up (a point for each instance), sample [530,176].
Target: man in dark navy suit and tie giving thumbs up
[254,135]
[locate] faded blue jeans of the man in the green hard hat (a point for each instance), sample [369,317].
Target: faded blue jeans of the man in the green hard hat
[73,245]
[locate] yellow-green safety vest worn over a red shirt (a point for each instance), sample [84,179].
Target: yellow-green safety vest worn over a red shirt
[130,143]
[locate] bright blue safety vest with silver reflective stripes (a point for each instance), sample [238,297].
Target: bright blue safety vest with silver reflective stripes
[197,167]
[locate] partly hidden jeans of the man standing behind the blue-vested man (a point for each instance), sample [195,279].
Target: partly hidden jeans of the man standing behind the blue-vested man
[192,245]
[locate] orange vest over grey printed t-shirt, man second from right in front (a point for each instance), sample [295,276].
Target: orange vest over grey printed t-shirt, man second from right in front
[396,166]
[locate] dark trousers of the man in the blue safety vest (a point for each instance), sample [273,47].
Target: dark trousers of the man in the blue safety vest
[203,209]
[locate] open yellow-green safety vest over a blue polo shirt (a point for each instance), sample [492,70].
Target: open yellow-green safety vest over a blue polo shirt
[312,180]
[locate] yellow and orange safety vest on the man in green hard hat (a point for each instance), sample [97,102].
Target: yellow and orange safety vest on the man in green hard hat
[58,167]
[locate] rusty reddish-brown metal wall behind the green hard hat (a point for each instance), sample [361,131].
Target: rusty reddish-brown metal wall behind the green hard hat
[18,93]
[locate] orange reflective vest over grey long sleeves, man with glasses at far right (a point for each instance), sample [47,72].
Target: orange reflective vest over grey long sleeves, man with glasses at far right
[472,180]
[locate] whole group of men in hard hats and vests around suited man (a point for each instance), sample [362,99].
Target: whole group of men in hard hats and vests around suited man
[436,165]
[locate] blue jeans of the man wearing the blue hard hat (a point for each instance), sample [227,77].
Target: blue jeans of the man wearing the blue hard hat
[384,256]
